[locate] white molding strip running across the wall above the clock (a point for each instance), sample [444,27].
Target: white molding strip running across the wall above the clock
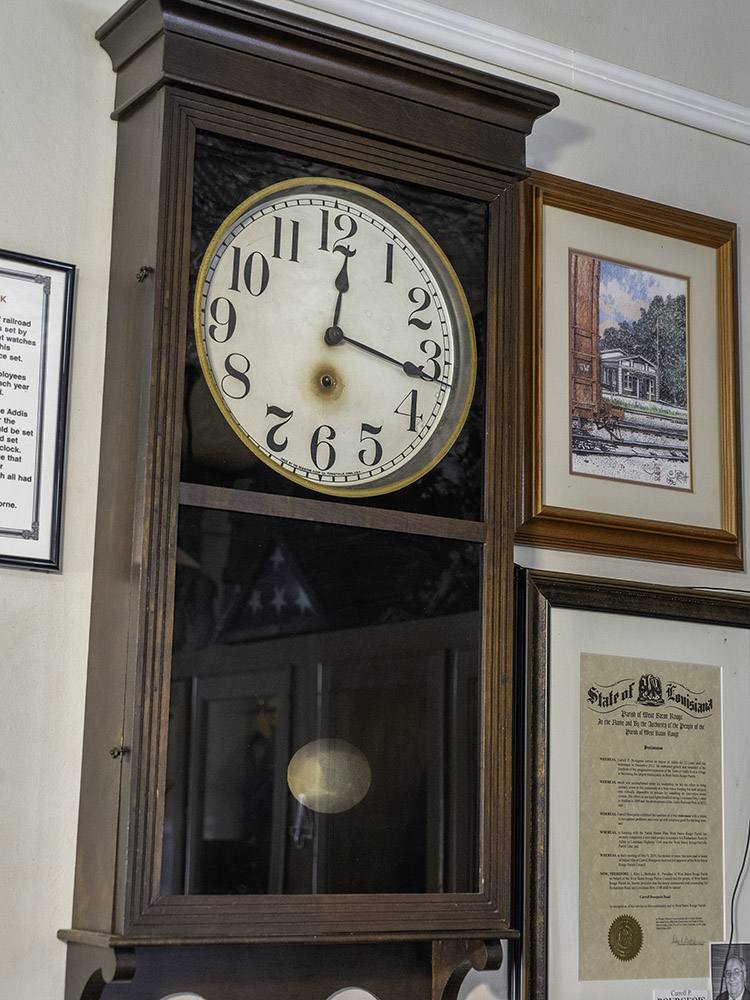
[460,34]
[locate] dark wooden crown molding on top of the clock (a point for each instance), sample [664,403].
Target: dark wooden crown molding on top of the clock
[161,38]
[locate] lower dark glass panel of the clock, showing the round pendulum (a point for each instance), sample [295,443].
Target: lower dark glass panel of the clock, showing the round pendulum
[324,710]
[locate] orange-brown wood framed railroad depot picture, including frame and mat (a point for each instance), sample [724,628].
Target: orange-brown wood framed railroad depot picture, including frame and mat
[628,402]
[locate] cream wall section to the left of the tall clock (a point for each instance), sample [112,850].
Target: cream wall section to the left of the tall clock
[56,174]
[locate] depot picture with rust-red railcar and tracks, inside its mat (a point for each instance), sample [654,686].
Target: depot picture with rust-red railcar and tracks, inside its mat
[629,373]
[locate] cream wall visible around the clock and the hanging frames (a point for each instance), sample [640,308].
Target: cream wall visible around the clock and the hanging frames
[56,93]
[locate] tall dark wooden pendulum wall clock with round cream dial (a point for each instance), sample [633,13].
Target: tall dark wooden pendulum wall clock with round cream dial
[300,754]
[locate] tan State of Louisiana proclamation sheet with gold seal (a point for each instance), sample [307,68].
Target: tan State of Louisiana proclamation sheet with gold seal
[651,885]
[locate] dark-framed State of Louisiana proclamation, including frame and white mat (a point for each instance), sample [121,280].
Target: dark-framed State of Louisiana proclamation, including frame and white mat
[637,699]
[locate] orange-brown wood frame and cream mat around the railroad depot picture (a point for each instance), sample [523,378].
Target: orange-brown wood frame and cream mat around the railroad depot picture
[560,508]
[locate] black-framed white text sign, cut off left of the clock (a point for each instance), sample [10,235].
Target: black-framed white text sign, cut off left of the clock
[36,310]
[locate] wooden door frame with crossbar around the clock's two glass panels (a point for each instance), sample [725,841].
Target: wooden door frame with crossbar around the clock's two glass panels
[152,918]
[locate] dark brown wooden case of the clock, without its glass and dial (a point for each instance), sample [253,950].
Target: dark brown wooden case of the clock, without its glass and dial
[252,72]
